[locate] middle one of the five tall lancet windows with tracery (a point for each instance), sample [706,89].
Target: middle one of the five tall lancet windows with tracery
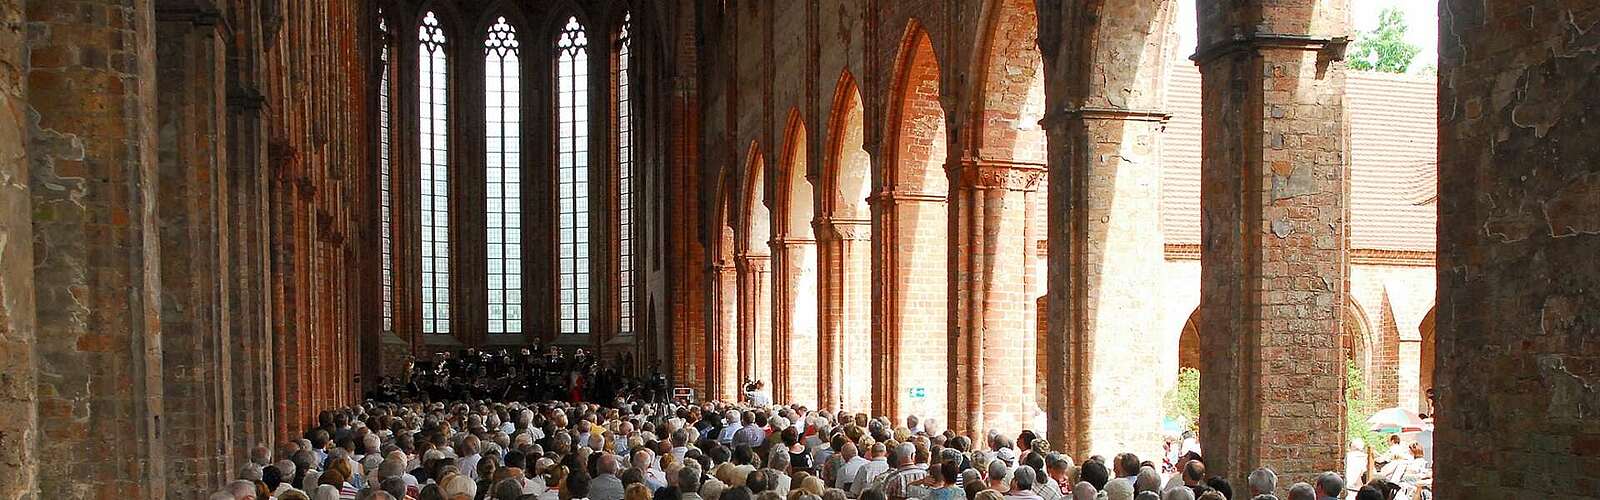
[503,135]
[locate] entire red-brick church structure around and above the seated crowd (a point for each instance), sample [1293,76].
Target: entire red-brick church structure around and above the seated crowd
[222,217]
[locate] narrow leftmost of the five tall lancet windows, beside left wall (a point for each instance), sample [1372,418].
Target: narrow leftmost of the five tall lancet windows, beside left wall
[386,174]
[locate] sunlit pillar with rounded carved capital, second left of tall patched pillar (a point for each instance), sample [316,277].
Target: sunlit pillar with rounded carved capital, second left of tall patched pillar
[991,310]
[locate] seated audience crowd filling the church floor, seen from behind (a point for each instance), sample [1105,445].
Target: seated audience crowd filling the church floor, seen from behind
[639,450]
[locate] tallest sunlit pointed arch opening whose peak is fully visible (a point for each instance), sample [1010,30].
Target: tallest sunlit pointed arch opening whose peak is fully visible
[913,217]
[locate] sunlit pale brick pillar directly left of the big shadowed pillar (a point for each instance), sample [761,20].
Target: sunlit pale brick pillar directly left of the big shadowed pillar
[1105,328]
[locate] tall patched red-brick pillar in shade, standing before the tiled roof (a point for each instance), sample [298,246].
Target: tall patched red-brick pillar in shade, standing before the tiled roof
[1274,270]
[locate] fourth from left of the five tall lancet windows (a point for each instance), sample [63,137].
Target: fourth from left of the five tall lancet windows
[572,116]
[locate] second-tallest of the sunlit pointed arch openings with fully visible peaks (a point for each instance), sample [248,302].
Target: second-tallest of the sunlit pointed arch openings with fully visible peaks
[846,248]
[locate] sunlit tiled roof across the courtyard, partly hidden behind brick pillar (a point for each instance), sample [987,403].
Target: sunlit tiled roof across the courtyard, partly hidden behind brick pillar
[1393,161]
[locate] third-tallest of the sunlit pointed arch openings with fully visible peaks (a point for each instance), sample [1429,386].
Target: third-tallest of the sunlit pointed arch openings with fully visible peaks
[796,278]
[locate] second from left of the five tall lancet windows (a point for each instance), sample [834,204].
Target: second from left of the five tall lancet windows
[434,204]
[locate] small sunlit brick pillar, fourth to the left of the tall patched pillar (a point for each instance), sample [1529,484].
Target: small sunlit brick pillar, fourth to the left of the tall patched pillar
[844,361]
